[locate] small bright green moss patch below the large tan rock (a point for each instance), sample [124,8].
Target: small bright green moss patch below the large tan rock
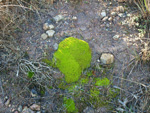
[102,82]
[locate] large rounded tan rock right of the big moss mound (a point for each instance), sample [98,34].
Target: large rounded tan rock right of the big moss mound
[107,58]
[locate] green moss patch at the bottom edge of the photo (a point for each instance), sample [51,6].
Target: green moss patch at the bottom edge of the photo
[70,105]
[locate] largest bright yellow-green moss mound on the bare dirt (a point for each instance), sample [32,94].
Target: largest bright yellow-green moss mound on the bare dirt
[73,55]
